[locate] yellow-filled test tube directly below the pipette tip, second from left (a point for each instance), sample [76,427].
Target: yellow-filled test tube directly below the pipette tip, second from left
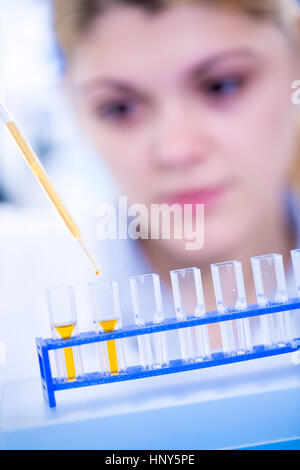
[105,302]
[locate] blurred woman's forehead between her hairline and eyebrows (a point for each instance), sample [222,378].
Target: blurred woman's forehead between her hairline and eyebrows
[130,41]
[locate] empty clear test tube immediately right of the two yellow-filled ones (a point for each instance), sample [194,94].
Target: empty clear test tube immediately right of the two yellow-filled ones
[147,307]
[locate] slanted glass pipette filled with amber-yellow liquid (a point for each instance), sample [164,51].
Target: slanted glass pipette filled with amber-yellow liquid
[44,180]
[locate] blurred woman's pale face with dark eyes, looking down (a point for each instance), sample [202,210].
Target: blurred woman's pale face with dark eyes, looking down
[191,105]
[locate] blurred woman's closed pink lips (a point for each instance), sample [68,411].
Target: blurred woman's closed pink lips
[208,197]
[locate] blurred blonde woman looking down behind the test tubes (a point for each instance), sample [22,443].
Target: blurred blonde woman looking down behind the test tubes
[191,102]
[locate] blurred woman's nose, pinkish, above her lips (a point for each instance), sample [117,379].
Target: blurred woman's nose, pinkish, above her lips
[180,143]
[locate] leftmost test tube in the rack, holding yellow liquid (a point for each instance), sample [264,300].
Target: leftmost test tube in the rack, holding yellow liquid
[63,319]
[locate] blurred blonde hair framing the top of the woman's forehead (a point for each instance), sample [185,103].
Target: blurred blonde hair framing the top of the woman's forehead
[73,17]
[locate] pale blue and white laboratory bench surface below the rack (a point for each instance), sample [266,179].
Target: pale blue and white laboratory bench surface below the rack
[255,404]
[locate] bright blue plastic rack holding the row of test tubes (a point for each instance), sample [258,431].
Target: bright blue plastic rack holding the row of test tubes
[50,385]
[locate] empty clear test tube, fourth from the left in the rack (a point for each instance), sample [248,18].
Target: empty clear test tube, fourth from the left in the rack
[189,301]
